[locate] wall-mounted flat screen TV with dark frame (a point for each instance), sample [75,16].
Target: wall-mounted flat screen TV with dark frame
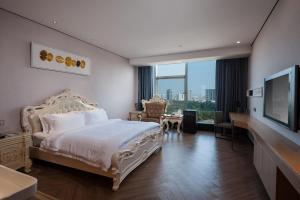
[281,96]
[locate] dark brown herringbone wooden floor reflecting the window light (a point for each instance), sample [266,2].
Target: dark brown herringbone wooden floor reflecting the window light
[188,167]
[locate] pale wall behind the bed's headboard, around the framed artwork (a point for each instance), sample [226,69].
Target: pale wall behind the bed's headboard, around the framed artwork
[111,84]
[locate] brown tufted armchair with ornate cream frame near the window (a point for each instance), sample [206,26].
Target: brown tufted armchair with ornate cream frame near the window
[153,109]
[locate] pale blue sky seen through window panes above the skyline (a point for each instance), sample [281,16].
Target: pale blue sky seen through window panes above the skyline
[201,76]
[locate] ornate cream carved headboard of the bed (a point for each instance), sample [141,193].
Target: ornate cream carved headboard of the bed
[61,103]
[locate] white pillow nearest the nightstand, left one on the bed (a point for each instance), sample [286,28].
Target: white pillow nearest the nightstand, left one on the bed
[58,123]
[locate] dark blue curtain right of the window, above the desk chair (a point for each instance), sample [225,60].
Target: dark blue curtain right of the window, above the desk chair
[231,85]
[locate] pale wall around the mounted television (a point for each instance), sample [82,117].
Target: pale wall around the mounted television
[276,48]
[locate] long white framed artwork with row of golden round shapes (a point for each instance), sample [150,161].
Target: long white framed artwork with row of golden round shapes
[44,57]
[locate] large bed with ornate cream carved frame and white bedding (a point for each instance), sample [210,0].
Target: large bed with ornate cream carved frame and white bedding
[138,139]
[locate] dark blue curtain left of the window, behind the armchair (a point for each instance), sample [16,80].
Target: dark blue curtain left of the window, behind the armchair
[145,84]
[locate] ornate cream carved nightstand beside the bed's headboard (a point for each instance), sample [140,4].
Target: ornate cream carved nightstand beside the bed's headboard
[14,151]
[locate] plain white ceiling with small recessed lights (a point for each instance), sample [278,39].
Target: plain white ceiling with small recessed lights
[140,28]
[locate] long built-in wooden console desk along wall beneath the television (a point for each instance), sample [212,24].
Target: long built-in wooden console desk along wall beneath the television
[273,155]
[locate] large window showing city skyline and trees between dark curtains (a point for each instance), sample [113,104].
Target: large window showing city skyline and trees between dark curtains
[188,85]
